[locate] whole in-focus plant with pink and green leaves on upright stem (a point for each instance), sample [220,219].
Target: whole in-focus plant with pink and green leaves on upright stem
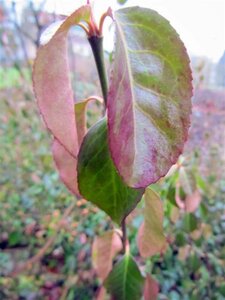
[147,116]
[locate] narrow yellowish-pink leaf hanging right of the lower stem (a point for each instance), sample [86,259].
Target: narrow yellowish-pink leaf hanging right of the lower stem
[151,239]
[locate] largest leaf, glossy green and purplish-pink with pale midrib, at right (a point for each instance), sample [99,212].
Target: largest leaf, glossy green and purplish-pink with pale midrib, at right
[149,100]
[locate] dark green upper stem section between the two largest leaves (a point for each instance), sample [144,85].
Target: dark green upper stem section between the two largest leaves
[96,43]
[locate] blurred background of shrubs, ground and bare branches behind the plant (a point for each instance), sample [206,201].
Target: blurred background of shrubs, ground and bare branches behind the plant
[46,234]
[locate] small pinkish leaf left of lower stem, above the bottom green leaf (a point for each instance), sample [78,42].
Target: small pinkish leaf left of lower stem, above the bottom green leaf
[104,249]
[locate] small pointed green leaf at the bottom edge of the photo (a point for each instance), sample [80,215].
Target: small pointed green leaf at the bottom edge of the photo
[125,281]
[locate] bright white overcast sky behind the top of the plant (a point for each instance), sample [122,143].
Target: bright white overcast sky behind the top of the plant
[200,23]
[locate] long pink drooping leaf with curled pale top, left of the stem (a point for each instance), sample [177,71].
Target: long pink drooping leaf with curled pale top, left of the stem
[52,84]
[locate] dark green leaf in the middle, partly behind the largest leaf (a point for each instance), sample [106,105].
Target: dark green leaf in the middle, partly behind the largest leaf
[98,179]
